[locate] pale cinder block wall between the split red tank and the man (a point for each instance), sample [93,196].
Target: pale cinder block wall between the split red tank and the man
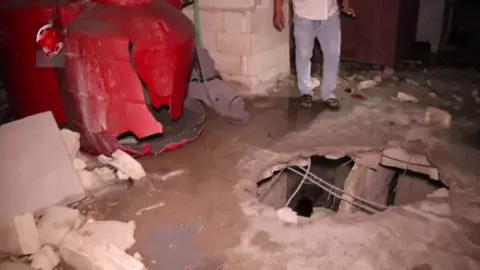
[240,37]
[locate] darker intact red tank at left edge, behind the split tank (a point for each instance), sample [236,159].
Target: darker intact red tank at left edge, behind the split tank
[31,89]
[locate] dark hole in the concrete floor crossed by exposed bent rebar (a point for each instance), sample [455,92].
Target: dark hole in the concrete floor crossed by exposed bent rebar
[373,190]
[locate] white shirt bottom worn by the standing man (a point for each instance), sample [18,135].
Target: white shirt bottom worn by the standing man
[315,9]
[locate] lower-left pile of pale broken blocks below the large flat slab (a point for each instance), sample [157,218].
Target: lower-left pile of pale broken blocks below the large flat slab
[62,234]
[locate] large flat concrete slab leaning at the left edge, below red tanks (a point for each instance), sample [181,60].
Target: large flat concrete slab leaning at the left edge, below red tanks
[36,168]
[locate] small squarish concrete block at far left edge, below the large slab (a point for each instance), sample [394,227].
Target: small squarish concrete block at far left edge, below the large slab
[19,236]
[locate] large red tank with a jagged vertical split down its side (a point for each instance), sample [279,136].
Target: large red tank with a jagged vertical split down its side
[124,60]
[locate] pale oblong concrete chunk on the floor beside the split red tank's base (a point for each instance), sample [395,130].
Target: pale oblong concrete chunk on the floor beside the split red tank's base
[125,163]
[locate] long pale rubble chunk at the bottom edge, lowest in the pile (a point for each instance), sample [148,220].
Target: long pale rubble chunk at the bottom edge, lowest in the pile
[81,252]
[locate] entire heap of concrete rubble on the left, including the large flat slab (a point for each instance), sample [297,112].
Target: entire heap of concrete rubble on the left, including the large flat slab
[42,231]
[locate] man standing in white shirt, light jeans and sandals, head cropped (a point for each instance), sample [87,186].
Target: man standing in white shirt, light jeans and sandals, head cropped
[315,19]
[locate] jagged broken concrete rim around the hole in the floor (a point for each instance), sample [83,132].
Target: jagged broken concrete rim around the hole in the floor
[246,189]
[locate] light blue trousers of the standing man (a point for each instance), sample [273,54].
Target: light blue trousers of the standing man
[328,34]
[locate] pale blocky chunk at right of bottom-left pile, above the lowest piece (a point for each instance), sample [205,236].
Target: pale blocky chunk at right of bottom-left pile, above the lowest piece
[120,234]
